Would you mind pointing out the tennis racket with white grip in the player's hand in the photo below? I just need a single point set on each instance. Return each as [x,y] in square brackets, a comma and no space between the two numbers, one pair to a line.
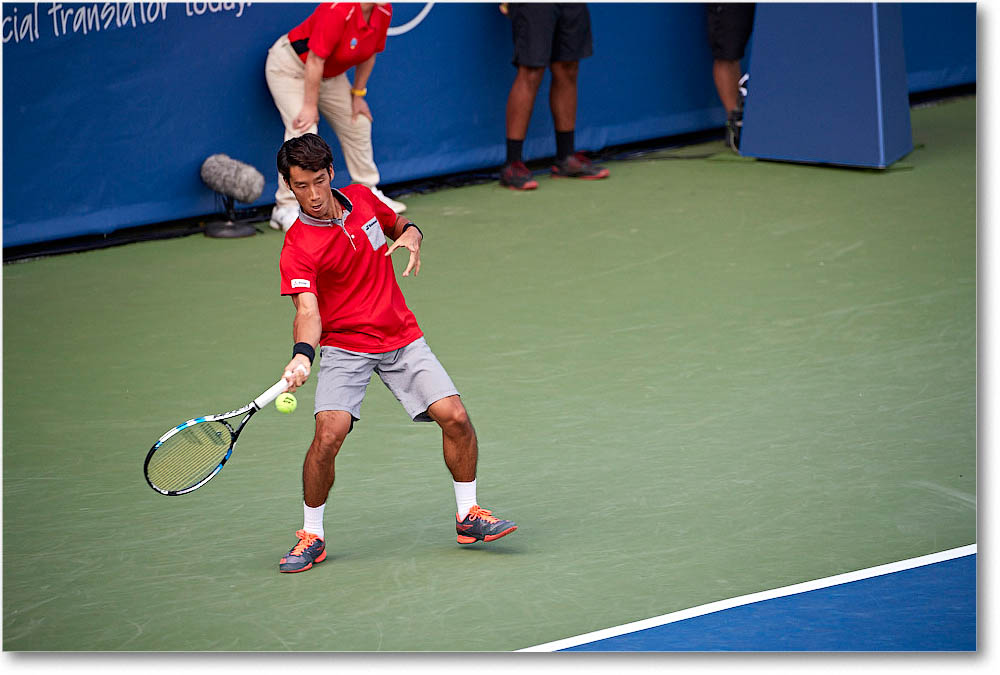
[194,452]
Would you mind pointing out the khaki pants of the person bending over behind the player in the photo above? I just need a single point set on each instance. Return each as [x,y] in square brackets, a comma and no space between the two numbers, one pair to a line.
[285,74]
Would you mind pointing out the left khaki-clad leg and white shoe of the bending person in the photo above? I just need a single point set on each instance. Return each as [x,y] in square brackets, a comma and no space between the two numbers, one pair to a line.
[284,73]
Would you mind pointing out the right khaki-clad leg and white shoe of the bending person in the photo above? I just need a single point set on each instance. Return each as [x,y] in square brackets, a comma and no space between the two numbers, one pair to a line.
[354,134]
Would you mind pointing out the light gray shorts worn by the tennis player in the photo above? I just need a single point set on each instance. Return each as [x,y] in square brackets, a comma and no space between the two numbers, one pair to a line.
[412,373]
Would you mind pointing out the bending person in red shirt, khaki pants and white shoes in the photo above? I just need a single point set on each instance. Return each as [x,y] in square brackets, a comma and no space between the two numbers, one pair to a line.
[306,74]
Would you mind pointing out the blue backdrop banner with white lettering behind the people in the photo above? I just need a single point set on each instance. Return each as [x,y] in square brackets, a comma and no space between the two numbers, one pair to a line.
[109,108]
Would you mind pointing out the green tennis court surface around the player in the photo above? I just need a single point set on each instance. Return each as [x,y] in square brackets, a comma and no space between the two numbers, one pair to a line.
[699,379]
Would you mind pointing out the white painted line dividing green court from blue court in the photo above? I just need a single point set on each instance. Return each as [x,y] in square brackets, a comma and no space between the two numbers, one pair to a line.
[720,605]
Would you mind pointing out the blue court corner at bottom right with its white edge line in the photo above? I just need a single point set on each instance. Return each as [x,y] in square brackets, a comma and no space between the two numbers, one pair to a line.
[924,604]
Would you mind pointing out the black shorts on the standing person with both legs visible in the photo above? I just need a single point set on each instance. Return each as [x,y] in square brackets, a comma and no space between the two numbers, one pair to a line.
[548,32]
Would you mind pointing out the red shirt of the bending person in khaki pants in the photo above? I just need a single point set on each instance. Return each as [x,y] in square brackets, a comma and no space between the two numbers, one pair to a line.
[338,32]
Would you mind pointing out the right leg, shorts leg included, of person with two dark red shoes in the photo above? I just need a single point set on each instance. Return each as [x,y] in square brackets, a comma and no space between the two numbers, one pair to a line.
[572,43]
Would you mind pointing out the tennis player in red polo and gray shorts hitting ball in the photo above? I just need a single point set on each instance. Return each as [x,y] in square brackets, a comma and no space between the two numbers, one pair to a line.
[336,266]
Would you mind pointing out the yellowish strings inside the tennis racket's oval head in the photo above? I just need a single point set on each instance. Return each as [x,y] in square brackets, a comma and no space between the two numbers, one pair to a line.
[190,455]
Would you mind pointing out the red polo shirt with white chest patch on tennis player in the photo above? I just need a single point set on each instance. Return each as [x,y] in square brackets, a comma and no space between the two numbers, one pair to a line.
[345,266]
